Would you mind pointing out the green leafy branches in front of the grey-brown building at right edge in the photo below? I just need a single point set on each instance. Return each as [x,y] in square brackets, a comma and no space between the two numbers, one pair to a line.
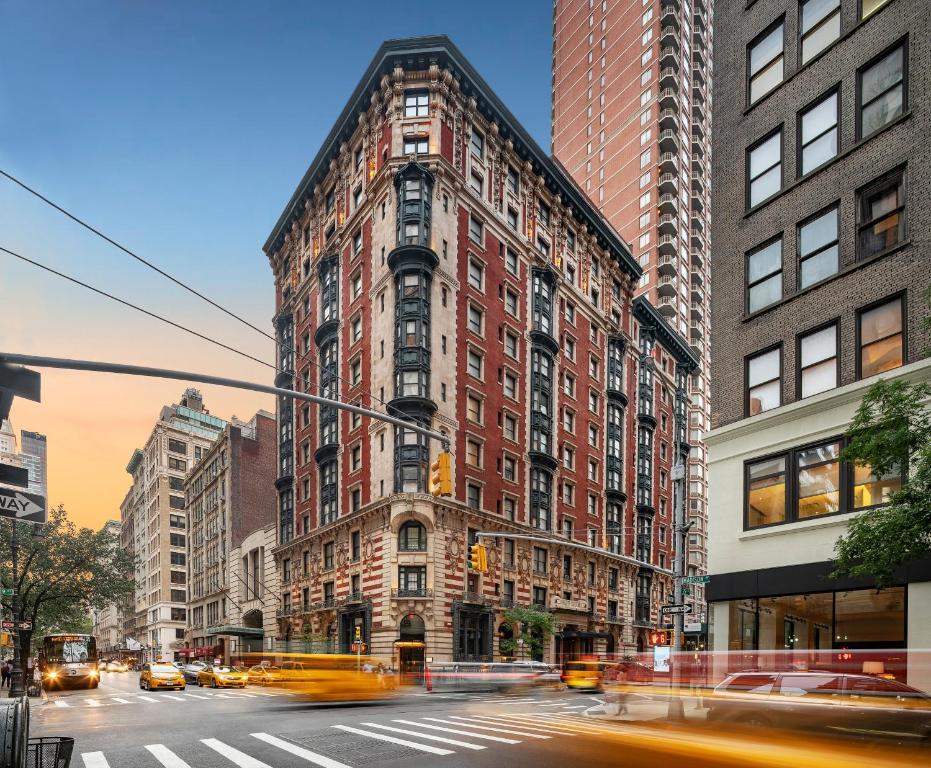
[891,431]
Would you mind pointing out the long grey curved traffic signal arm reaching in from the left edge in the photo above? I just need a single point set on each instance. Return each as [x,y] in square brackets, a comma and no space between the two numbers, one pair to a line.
[203,378]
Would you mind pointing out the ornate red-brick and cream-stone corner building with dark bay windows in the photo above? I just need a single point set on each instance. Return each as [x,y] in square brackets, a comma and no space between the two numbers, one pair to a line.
[418,270]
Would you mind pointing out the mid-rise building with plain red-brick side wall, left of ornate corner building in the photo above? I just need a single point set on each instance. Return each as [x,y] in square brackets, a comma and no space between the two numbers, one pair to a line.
[229,498]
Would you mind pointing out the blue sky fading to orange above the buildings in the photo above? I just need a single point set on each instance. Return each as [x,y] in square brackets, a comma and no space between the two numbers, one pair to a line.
[181,129]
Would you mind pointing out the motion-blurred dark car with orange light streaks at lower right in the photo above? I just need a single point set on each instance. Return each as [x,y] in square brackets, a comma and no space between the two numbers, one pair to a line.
[860,706]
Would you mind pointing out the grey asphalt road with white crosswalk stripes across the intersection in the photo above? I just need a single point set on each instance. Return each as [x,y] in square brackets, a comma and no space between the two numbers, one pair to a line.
[119,726]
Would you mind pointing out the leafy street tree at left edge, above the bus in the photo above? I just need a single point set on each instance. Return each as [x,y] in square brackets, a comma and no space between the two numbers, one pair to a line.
[62,574]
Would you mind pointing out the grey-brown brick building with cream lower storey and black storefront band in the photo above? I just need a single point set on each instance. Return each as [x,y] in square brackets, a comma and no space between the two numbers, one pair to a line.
[821,234]
